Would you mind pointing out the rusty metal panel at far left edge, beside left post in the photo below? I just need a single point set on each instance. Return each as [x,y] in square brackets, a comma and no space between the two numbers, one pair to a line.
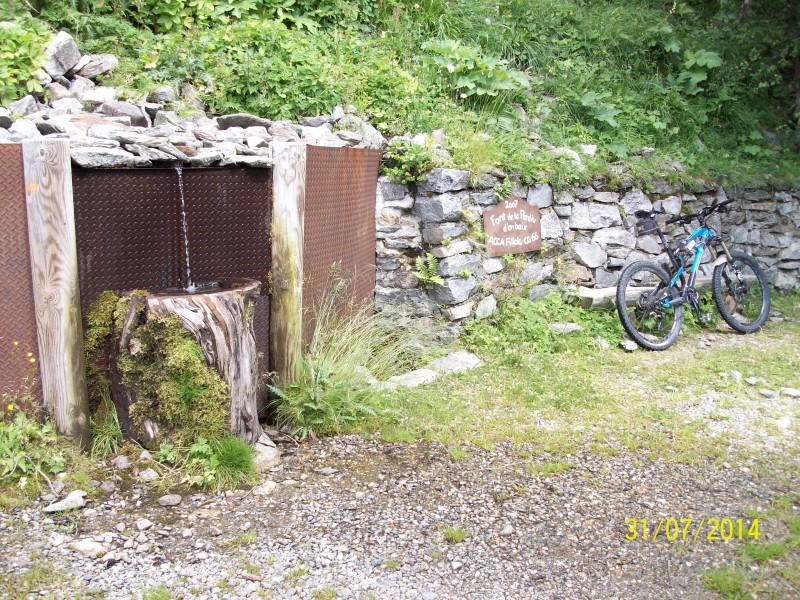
[17,313]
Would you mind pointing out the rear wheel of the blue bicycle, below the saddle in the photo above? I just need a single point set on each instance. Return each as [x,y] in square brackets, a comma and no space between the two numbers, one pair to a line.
[644,308]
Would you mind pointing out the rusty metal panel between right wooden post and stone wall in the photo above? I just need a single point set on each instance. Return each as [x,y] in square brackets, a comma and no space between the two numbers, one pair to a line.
[340,219]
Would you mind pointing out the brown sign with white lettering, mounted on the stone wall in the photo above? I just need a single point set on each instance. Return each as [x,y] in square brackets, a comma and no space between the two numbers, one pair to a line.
[513,226]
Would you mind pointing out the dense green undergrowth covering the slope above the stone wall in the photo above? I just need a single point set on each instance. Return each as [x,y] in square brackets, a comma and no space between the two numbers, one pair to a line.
[713,95]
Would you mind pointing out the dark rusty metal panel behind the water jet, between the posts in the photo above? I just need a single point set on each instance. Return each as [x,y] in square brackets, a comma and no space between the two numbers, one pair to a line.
[130,231]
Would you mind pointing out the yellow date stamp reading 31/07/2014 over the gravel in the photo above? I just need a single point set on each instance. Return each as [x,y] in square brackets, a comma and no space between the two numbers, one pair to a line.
[709,529]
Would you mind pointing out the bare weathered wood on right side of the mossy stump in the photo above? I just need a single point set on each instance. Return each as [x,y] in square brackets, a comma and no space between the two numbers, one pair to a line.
[221,320]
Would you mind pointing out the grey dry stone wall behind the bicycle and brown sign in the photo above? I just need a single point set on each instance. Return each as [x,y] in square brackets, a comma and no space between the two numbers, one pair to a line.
[588,236]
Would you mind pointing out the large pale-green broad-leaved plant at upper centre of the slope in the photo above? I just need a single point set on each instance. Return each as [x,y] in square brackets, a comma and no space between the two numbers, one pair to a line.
[472,74]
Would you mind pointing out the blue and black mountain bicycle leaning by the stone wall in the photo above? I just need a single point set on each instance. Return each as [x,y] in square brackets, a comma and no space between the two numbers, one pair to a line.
[650,299]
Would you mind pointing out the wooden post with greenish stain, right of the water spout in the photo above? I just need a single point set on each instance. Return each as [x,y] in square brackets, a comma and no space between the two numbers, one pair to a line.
[286,306]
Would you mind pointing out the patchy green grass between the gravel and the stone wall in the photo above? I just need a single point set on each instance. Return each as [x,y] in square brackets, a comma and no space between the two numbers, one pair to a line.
[550,400]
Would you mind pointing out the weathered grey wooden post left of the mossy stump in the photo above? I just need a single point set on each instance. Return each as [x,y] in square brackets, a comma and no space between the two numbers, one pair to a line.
[54,270]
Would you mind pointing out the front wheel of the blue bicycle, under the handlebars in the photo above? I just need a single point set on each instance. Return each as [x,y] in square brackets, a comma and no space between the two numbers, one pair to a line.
[741,293]
